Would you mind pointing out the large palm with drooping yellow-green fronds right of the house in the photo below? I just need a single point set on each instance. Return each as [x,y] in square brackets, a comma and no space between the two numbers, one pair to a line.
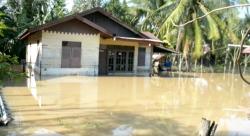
[187,10]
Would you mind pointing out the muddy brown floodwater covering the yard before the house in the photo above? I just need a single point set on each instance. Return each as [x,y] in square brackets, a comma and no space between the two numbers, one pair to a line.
[124,106]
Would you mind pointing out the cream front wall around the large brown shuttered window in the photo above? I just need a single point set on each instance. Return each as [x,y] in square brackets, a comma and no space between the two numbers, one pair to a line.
[52,52]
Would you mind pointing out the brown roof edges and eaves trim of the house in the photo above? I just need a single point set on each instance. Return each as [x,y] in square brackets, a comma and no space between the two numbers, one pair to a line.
[145,36]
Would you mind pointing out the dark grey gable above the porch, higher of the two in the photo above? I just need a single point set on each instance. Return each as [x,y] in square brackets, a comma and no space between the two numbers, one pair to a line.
[110,25]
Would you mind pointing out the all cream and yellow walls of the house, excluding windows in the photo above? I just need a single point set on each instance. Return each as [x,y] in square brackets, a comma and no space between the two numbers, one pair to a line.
[49,49]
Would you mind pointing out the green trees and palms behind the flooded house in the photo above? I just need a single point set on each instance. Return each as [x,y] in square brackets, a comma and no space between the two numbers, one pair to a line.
[205,38]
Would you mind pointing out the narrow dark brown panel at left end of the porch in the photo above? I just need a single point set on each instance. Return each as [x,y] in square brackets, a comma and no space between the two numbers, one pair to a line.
[103,60]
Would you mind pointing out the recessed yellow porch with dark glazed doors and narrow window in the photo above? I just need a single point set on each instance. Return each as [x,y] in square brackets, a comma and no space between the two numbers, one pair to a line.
[124,57]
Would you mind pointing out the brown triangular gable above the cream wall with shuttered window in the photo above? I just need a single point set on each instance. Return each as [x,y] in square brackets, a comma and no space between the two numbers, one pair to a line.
[73,26]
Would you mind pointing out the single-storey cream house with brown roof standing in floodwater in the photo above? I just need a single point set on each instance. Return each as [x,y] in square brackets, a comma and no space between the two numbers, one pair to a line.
[89,43]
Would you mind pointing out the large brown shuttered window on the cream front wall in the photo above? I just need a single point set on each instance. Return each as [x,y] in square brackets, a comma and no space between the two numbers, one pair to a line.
[71,54]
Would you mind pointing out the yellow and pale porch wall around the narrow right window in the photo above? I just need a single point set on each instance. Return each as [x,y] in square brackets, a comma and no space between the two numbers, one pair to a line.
[138,70]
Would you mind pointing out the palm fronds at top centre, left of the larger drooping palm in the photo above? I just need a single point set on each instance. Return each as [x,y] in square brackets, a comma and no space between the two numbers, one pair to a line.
[150,14]
